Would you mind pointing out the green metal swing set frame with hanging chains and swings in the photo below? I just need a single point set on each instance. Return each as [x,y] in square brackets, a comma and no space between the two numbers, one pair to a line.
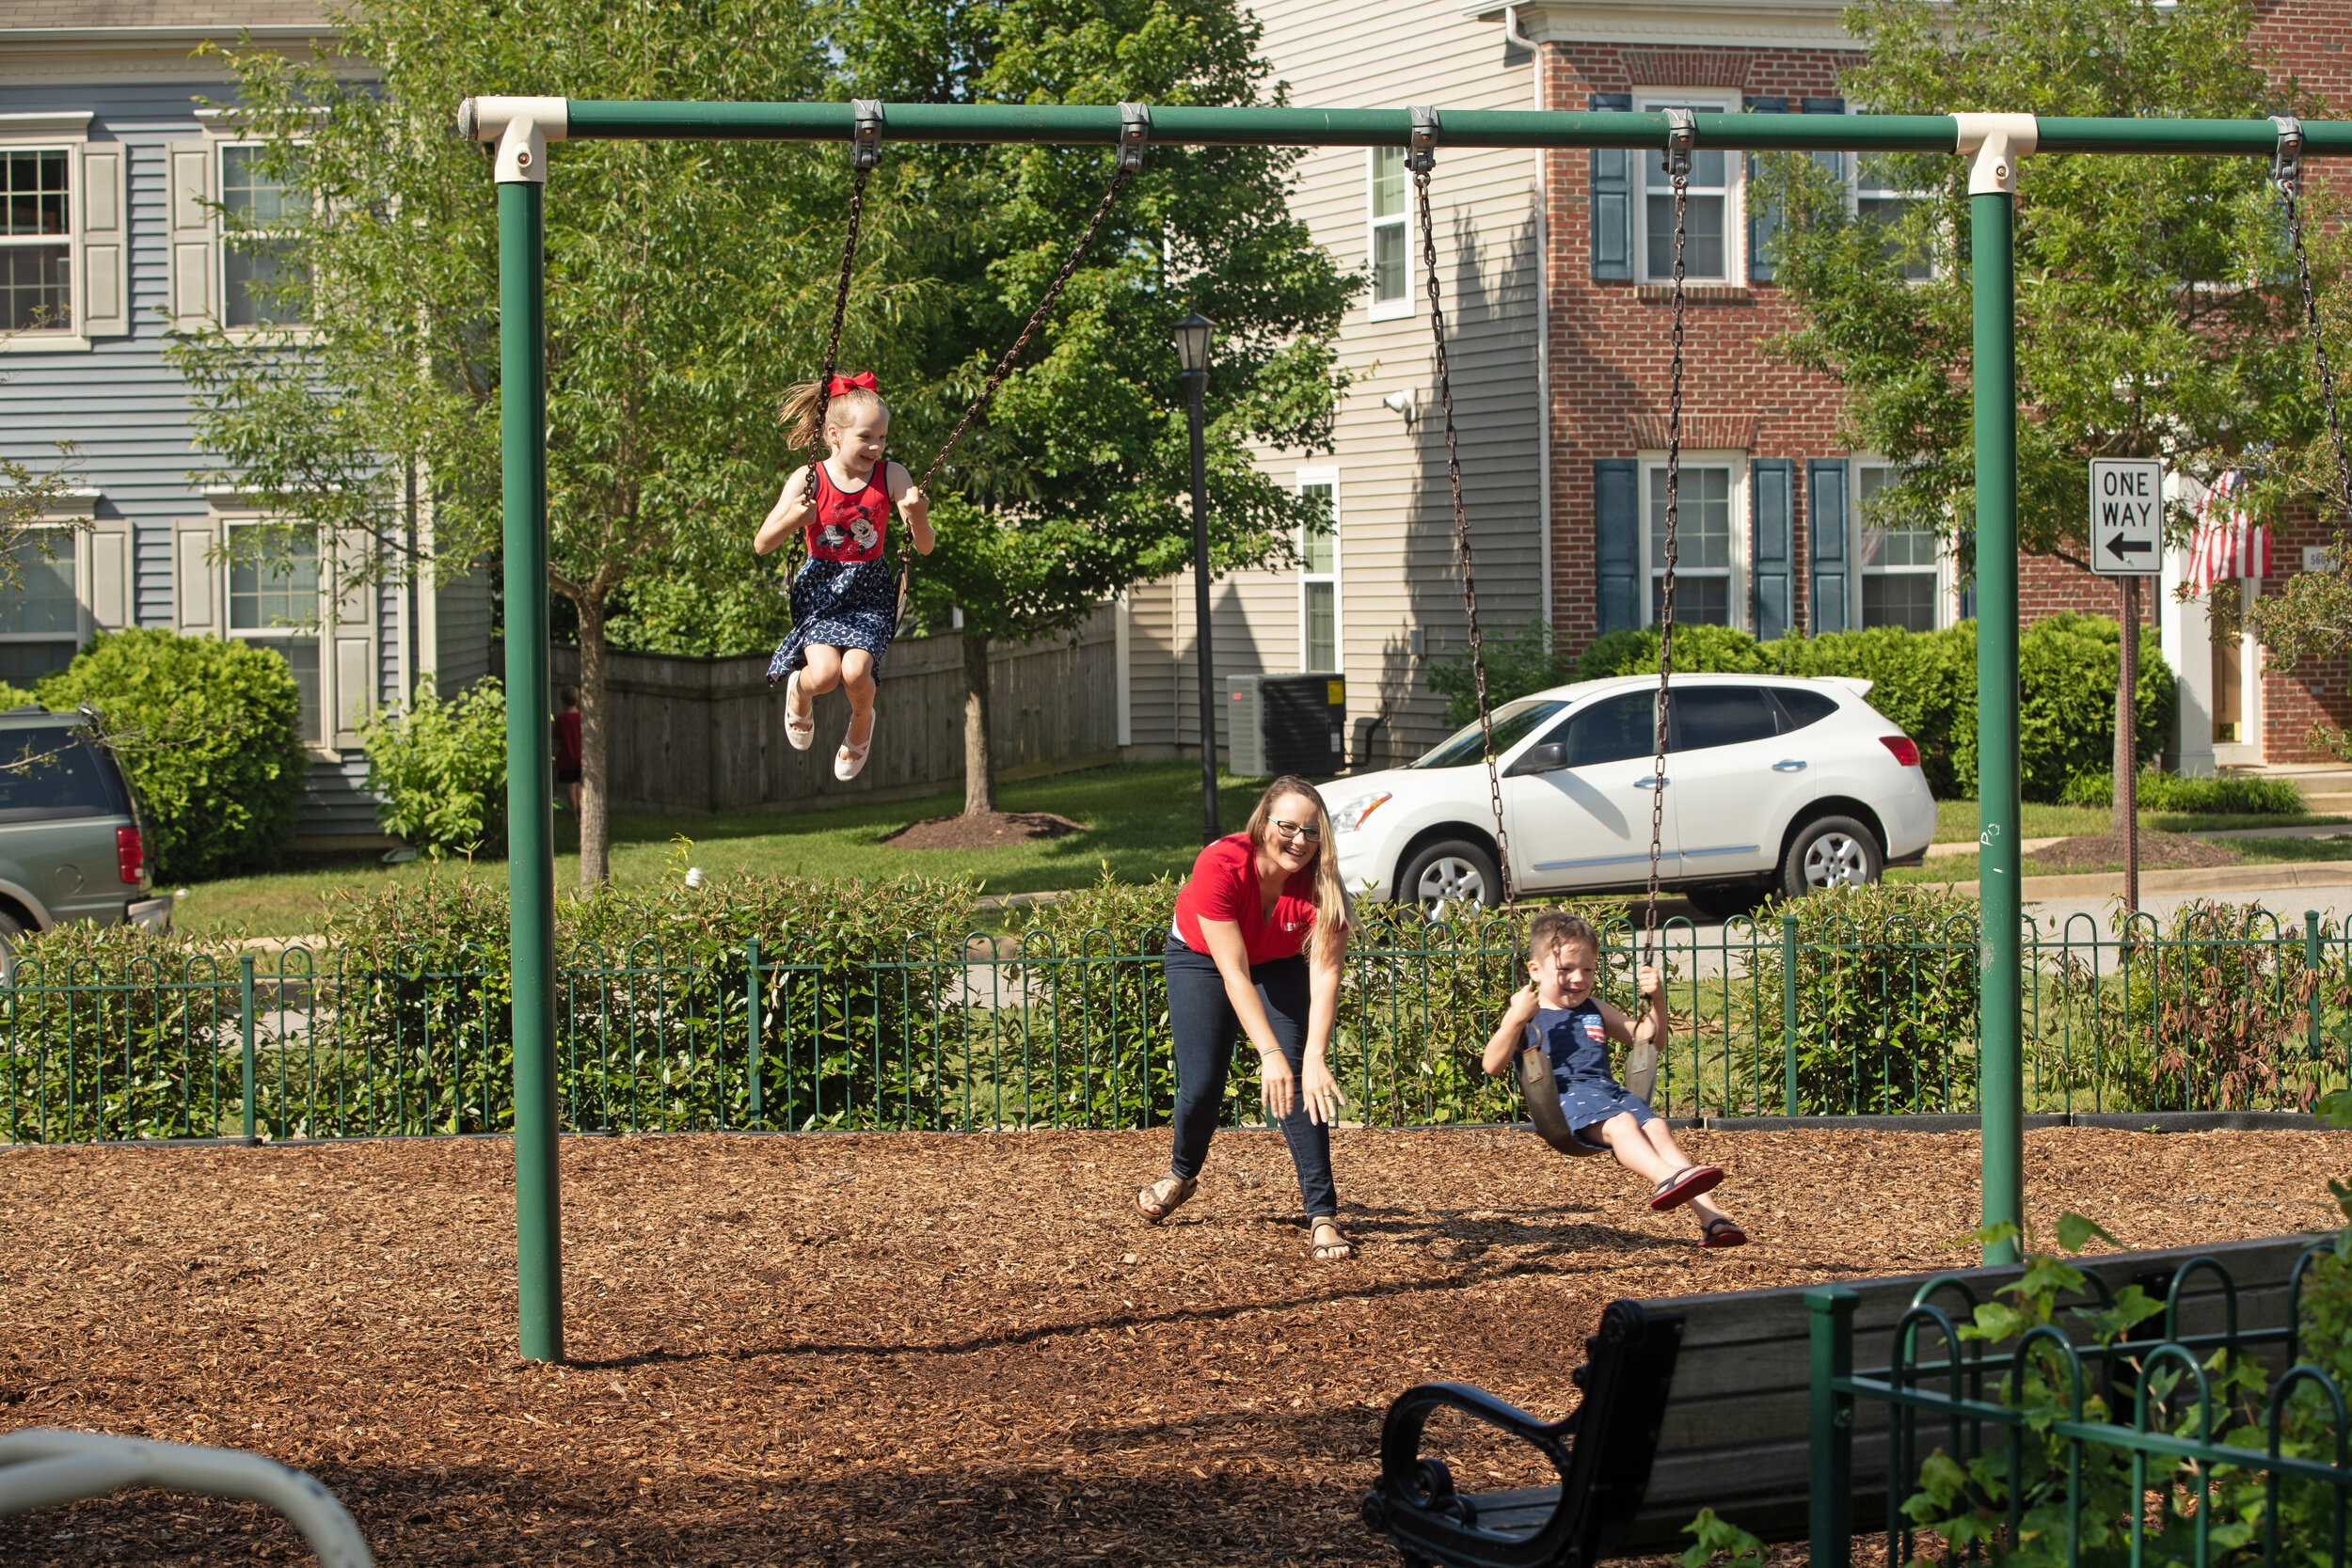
[1993,142]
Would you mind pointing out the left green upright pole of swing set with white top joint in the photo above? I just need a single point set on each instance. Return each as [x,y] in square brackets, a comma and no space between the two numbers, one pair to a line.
[530,777]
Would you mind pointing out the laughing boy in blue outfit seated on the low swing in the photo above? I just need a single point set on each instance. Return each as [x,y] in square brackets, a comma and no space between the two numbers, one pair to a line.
[1561,1014]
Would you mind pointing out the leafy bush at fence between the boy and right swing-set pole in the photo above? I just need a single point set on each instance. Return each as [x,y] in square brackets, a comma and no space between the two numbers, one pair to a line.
[1887,991]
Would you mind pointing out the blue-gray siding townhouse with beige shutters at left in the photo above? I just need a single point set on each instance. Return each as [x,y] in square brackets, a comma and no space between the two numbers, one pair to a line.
[112,168]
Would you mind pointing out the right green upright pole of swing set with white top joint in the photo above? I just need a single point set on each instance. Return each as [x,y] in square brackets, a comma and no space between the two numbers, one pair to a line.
[1996,145]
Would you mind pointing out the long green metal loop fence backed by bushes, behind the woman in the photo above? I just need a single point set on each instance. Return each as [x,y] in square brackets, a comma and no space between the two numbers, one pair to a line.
[2217,1010]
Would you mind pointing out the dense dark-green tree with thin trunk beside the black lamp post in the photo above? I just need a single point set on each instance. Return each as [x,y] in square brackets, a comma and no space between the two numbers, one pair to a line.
[1076,483]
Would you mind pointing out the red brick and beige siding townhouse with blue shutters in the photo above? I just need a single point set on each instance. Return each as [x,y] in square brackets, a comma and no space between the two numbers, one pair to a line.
[1556,288]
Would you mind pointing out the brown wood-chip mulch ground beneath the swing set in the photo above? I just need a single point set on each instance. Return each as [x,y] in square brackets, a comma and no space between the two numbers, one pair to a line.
[911,1348]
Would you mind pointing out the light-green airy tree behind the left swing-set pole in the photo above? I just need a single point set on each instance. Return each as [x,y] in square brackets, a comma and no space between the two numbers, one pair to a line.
[683,286]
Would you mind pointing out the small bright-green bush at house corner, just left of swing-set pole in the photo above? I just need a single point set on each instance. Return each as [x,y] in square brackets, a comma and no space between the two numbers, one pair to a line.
[441,768]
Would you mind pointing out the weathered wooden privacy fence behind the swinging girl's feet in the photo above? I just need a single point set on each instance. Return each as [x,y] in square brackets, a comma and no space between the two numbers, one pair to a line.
[707,735]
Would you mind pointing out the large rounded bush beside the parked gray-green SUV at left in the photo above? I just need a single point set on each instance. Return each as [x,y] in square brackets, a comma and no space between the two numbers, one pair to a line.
[208,732]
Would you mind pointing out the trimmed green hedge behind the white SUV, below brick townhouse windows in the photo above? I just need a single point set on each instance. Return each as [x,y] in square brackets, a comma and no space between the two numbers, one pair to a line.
[1925,683]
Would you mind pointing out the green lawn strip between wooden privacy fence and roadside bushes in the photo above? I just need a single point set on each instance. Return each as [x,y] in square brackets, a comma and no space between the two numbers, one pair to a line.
[1142,822]
